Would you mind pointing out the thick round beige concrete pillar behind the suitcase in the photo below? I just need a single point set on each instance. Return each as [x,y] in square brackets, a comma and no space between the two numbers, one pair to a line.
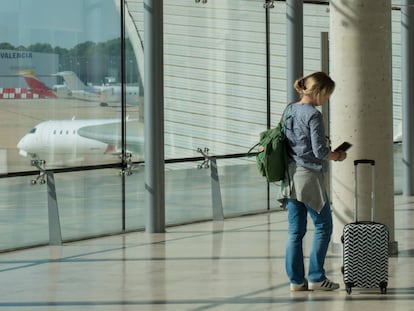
[361,109]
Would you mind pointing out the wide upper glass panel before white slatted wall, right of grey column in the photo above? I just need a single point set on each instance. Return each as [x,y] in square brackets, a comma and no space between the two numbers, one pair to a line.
[215,76]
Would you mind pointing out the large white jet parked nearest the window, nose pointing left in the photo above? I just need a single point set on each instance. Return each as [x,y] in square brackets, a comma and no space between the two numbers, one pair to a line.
[63,142]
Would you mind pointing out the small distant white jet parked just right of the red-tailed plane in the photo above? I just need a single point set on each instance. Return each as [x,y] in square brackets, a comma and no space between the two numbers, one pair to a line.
[105,94]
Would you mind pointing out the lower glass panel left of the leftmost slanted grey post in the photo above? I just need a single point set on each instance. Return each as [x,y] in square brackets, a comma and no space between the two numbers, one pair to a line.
[23,213]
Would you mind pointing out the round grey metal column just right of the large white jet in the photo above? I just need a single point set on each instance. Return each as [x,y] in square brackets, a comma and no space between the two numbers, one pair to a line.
[154,116]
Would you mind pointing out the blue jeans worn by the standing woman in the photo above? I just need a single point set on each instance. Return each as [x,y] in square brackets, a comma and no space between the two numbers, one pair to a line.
[297,217]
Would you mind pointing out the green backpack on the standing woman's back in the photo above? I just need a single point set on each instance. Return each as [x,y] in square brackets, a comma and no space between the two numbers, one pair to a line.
[272,157]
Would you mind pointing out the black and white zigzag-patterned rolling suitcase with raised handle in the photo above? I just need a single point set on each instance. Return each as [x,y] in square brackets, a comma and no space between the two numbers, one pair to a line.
[365,246]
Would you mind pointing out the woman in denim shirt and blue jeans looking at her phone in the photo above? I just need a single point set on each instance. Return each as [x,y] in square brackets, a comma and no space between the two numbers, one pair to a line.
[309,151]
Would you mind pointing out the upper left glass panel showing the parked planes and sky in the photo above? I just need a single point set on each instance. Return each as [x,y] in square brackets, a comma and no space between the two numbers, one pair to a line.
[56,57]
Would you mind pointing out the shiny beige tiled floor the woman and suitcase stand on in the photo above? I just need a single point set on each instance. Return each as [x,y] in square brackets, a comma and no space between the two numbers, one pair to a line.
[237,264]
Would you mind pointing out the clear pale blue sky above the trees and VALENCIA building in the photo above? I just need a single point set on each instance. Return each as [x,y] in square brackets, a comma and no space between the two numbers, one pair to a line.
[62,23]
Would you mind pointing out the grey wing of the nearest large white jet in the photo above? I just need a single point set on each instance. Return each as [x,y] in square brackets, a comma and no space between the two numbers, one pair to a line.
[111,134]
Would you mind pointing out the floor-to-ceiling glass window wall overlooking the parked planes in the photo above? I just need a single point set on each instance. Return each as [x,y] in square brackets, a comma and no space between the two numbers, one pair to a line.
[61,82]
